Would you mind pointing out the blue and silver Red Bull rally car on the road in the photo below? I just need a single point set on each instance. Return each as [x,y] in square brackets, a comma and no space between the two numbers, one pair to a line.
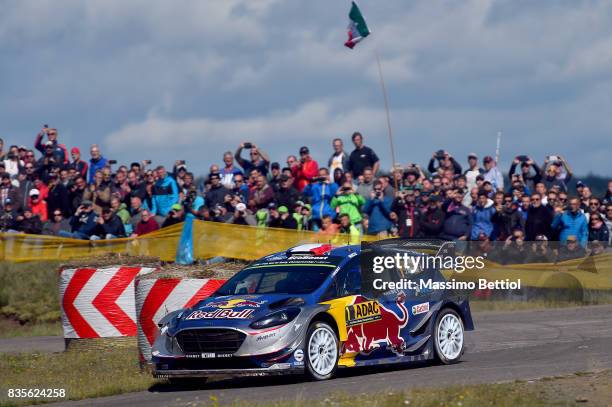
[304,311]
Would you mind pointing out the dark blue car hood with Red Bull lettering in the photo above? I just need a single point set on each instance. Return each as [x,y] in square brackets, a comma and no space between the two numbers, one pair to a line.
[235,311]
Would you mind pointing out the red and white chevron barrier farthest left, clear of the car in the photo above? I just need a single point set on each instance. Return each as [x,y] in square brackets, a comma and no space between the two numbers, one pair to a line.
[99,303]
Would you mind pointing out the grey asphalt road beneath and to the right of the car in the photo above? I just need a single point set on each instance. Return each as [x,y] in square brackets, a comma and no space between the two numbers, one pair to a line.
[505,346]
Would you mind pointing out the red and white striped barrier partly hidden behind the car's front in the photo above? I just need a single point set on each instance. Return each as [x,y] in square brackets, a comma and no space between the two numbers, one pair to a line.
[156,298]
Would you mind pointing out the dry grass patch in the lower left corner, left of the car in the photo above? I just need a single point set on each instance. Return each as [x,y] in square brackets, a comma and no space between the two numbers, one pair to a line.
[83,374]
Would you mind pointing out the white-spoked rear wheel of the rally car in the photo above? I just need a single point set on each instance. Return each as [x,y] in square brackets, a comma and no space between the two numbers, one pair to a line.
[449,336]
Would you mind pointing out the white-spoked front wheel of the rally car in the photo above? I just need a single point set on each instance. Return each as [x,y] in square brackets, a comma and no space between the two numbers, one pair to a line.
[321,351]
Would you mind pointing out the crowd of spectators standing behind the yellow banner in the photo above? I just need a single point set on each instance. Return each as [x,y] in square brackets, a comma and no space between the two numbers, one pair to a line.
[50,190]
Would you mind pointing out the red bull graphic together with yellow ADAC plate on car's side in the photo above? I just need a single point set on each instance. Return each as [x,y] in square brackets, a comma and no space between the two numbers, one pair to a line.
[377,325]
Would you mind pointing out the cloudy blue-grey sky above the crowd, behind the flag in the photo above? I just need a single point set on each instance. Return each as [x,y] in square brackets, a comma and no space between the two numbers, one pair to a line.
[188,80]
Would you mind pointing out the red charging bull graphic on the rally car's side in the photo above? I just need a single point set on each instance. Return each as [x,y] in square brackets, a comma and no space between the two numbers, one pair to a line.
[367,337]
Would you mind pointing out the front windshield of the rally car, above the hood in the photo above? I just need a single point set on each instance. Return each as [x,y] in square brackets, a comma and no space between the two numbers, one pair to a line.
[277,278]
